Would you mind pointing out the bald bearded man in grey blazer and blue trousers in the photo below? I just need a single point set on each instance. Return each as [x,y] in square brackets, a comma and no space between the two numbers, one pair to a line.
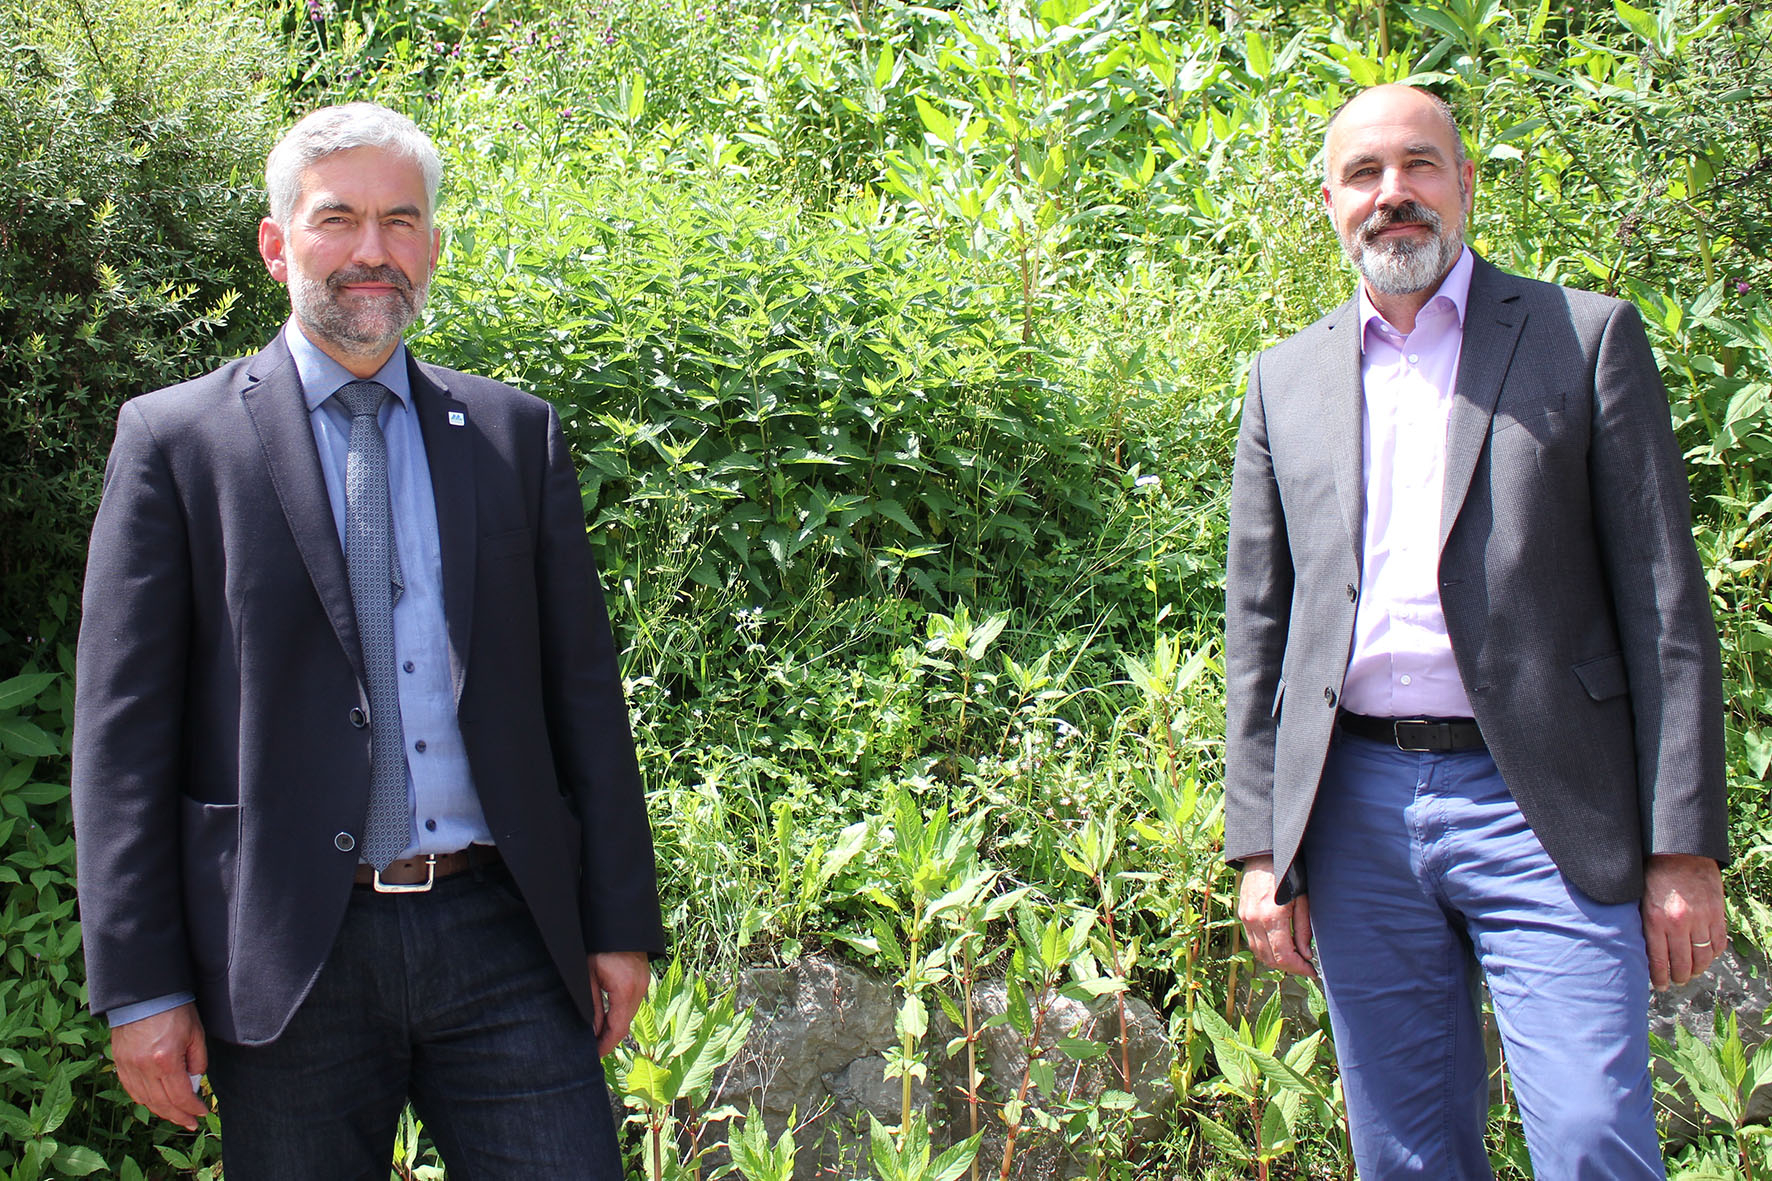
[1473,684]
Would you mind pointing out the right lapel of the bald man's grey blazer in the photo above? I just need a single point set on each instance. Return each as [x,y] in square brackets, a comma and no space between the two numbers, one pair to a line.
[1493,324]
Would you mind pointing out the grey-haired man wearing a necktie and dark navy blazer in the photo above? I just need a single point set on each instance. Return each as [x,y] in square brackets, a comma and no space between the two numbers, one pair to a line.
[277,678]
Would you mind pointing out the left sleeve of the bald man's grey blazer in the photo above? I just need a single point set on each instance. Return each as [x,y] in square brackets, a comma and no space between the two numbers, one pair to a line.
[1257,616]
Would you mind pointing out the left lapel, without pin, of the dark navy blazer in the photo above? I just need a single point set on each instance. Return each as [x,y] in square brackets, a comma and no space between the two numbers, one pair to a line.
[281,418]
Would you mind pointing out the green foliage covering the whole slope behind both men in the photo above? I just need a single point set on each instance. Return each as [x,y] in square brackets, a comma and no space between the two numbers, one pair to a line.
[901,350]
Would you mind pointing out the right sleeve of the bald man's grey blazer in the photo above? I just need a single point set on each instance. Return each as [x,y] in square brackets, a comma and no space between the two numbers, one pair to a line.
[1668,637]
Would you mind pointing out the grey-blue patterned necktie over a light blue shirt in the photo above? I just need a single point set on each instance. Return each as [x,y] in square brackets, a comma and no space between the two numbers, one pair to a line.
[375,574]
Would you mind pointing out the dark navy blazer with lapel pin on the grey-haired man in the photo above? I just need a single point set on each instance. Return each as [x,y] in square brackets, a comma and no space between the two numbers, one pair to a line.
[219,779]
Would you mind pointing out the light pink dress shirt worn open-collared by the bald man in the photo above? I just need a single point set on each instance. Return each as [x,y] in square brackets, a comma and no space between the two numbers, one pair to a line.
[1403,664]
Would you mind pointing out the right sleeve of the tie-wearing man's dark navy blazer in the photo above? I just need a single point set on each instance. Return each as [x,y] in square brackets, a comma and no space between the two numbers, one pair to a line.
[587,723]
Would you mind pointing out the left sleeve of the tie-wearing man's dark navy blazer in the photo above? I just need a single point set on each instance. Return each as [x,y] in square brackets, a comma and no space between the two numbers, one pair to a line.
[130,728]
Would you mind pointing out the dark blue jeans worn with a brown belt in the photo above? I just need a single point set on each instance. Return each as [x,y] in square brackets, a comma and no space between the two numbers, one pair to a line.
[446,999]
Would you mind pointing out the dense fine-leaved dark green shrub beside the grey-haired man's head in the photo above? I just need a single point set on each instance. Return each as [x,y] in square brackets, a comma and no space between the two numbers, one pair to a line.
[130,141]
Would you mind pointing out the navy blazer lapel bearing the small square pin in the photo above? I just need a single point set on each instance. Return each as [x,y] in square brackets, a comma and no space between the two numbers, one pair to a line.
[449,455]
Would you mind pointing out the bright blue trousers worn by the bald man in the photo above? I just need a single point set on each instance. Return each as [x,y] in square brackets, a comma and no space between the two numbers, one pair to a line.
[1422,866]
